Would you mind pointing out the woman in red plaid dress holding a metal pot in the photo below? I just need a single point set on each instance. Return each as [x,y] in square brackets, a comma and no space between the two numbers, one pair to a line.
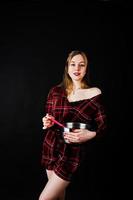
[71,101]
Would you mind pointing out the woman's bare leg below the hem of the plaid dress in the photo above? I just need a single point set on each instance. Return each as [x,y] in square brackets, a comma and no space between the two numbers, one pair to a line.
[55,188]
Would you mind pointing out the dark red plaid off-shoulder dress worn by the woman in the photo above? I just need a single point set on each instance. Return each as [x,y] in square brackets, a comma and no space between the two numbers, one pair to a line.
[57,155]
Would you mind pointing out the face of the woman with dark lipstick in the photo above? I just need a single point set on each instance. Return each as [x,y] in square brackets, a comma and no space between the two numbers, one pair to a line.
[77,68]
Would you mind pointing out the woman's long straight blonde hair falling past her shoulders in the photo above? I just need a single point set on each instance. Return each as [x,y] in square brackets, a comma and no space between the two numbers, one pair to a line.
[67,81]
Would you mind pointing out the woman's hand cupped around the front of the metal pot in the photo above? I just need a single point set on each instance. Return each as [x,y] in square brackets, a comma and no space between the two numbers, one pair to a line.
[79,135]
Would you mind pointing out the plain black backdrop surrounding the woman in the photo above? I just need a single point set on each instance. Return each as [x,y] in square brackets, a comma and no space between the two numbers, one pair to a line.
[34,42]
